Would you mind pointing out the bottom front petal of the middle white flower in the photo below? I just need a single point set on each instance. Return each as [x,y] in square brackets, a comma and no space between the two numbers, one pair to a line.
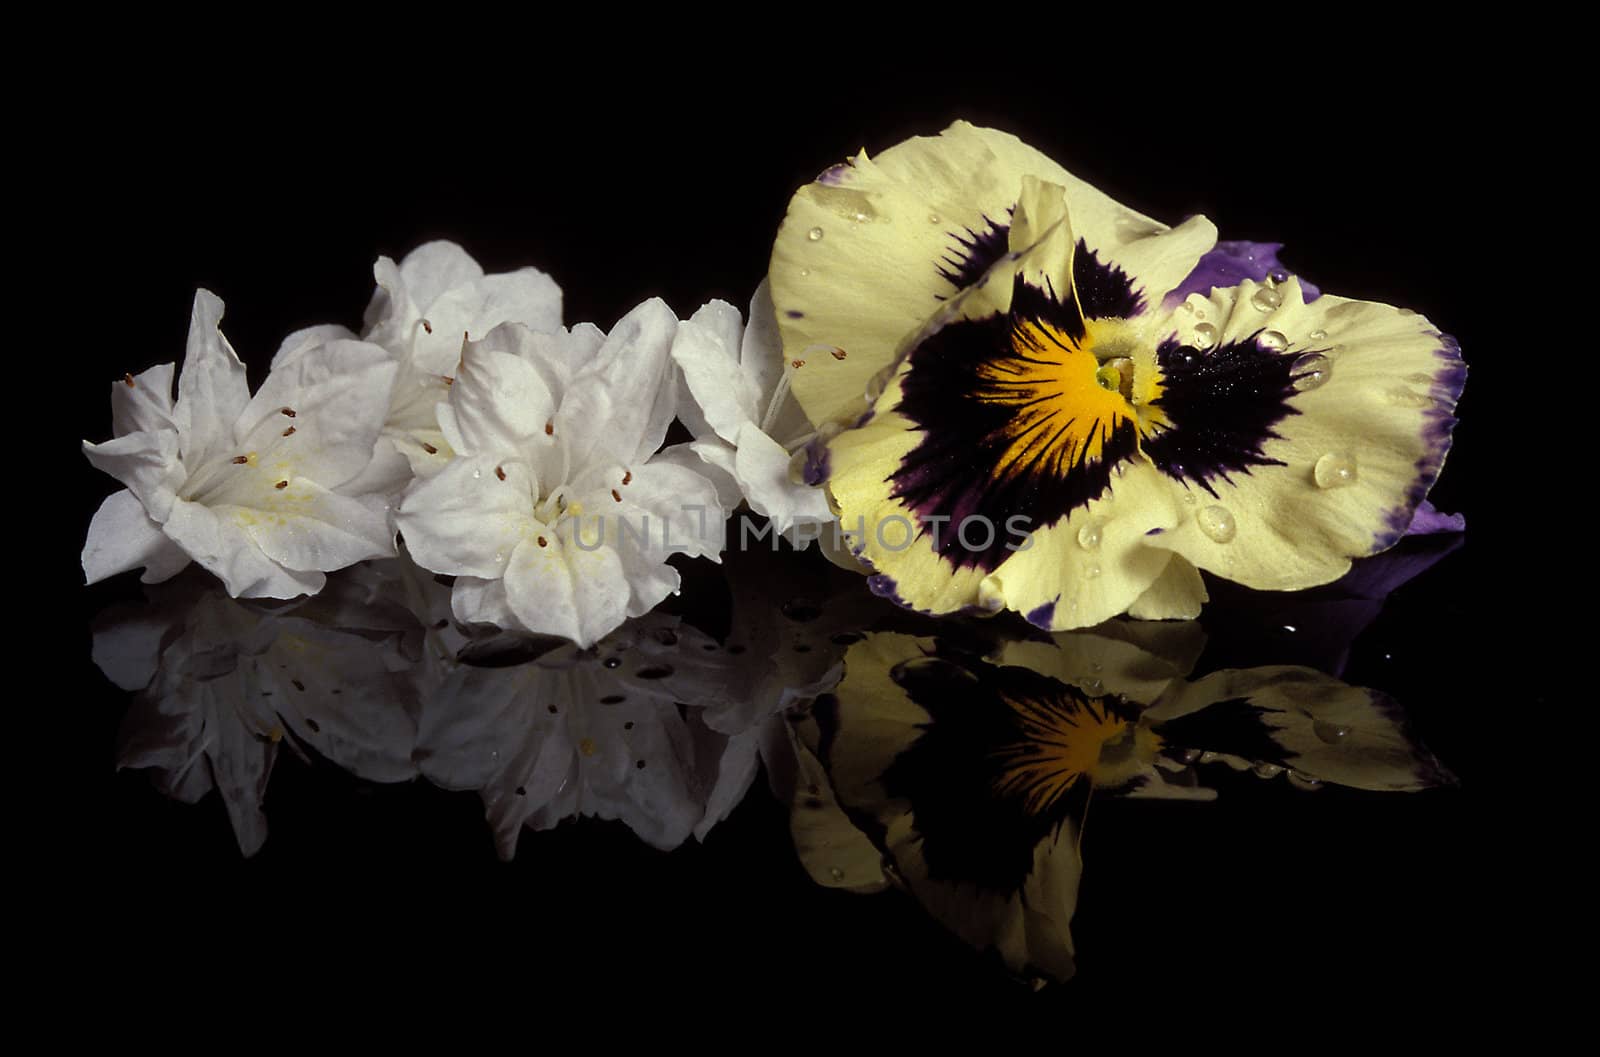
[562,589]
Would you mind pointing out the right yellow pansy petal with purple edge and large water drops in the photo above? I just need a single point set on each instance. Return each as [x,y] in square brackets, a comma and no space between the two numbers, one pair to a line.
[1364,404]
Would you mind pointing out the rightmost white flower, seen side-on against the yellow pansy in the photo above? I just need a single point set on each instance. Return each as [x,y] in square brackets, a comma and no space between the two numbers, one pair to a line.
[742,417]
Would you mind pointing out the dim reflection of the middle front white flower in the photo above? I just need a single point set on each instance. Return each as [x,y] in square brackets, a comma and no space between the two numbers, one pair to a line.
[594,733]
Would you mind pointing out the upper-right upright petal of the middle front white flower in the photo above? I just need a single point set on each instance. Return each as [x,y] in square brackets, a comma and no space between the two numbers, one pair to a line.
[614,410]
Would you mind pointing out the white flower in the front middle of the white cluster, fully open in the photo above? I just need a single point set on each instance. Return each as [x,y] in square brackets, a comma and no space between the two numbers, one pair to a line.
[558,514]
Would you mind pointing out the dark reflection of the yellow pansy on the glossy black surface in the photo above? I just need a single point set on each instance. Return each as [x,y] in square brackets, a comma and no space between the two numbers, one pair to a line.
[962,772]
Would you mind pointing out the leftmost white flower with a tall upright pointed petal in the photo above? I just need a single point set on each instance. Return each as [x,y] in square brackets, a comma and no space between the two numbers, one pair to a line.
[246,487]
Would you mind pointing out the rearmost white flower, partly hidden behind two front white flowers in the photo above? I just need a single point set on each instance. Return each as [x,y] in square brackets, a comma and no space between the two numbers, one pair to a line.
[420,314]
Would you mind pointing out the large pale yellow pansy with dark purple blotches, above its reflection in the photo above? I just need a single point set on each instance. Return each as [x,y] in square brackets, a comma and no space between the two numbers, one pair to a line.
[1038,428]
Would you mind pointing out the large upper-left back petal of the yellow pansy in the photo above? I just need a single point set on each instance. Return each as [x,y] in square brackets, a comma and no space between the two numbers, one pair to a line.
[873,249]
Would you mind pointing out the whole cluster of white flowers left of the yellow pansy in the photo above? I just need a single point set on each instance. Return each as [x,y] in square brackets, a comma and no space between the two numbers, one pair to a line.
[513,453]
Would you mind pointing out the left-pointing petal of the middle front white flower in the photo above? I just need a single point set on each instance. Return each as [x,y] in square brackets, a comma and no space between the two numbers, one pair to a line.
[466,521]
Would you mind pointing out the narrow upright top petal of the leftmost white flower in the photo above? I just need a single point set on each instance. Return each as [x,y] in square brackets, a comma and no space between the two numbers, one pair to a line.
[212,388]
